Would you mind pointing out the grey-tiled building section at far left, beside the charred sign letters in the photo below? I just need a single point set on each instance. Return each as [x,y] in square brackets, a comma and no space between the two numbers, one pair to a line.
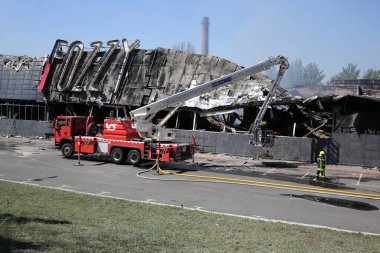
[20,99]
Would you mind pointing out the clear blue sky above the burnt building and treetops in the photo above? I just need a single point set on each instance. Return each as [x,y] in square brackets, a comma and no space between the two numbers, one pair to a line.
[331,33]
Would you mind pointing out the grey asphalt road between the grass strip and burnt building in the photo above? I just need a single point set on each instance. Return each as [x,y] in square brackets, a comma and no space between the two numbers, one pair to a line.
[37,162]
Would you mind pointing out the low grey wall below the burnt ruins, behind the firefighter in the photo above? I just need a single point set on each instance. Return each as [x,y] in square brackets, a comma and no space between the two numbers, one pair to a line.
[350,149]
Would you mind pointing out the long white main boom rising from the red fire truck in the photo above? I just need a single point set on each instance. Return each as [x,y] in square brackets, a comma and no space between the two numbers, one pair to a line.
[149,130]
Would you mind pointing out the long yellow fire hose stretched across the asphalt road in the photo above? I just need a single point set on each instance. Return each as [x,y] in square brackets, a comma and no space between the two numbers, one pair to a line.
[350,193]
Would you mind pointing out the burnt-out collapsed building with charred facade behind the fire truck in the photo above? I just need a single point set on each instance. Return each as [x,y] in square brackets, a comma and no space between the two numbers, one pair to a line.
[120,77]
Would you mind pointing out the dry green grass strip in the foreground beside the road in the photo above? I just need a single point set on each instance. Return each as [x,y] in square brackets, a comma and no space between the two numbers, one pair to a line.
[34,219]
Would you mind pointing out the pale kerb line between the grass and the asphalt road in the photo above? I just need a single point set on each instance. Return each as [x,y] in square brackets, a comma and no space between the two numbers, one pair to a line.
[205,211]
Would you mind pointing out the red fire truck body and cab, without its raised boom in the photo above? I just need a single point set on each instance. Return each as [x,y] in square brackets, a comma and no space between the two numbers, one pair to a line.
[118,141]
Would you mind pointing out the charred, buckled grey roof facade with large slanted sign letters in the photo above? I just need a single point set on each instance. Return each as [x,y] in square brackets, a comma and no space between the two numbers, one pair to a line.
[139,77]
